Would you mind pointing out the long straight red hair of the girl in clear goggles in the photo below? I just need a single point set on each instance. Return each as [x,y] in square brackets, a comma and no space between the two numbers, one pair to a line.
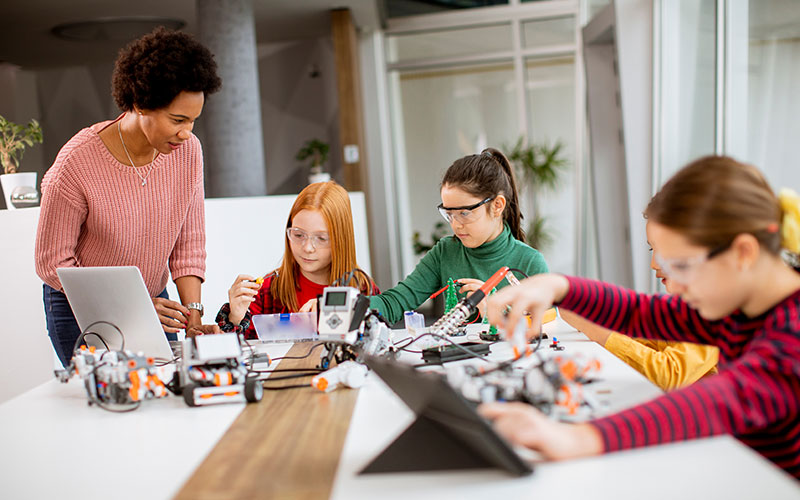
[332,201]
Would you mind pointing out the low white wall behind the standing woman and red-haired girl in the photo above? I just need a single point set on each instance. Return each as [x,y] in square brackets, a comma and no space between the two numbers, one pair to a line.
[26,357]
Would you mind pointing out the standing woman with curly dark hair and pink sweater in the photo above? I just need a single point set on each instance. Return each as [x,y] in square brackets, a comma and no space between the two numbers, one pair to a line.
[129,191]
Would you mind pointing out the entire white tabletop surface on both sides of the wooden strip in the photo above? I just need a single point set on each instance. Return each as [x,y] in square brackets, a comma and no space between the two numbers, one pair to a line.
[55,446]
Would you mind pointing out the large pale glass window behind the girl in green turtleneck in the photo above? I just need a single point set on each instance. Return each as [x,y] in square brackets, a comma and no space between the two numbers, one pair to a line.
[458,88]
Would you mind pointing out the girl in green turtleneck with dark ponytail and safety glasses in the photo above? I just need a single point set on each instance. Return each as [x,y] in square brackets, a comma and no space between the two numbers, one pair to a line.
[479,200]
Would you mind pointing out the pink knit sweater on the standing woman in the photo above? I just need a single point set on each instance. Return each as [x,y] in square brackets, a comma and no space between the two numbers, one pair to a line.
[95,212]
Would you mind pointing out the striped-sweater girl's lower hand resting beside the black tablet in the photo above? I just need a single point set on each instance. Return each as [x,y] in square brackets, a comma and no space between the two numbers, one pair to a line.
[523,425]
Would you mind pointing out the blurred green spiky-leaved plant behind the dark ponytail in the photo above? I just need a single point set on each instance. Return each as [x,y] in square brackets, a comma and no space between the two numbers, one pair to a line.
[539,167]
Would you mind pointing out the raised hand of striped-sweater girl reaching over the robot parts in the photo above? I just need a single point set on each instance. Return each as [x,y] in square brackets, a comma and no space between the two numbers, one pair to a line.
[532,296]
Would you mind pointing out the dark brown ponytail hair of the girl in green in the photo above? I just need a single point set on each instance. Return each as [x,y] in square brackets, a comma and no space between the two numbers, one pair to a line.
[488,174]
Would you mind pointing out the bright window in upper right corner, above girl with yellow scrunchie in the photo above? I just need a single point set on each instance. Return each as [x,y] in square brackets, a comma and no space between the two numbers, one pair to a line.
[763,102]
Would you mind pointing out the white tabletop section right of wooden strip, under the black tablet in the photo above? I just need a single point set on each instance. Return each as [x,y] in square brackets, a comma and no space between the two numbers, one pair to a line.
[719,467]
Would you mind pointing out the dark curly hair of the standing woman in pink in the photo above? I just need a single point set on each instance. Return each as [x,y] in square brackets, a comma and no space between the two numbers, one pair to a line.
[151,71]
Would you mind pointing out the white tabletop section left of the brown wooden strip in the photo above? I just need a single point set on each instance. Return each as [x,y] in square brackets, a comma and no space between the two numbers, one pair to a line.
[55,446]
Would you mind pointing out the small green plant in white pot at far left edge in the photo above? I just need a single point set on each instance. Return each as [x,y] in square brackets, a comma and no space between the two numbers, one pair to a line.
[14,138]
